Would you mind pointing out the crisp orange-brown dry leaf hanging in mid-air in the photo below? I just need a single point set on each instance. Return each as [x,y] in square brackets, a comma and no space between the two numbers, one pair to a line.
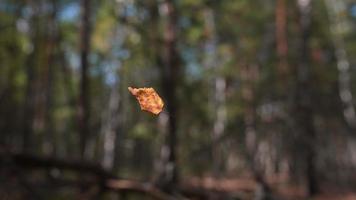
[148,99]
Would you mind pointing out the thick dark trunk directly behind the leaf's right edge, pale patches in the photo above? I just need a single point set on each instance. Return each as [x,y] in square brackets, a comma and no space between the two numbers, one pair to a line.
[169,58]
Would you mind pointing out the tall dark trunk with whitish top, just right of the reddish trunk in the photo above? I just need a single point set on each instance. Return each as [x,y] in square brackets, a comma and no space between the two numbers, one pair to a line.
[303,100]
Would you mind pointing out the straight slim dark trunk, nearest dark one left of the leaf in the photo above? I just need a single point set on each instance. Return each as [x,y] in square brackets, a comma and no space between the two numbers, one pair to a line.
[83,112]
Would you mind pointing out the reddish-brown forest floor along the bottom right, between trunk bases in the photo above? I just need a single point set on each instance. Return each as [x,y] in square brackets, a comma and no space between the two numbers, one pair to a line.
[281,190]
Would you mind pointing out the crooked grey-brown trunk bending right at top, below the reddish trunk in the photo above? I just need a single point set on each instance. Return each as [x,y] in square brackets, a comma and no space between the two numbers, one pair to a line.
[249,76]
